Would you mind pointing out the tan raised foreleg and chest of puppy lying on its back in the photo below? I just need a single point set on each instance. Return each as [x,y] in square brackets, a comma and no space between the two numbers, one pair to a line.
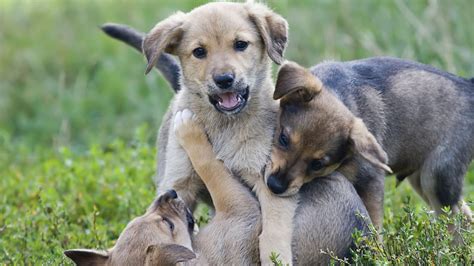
[236,224]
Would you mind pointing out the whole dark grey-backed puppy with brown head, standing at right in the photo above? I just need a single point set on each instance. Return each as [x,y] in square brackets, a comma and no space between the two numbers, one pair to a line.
[369,117]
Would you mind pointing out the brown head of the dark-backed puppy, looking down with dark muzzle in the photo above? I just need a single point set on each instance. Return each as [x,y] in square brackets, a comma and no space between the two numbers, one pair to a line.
[316,133]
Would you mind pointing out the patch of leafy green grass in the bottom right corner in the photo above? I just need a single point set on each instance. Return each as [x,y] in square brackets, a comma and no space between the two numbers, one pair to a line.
[412,238]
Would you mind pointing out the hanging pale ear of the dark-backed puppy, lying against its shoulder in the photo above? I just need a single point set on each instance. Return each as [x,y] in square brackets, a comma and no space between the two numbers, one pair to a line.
[365,144]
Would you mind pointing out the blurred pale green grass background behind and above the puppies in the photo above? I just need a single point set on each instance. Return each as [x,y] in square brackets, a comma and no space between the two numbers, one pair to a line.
[63,82]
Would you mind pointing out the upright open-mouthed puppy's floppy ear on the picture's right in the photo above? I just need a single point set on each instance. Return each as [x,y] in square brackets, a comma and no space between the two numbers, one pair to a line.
[273,29]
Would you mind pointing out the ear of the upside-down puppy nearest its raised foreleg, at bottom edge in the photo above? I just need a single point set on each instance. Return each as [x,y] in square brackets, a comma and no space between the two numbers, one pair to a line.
[165,255]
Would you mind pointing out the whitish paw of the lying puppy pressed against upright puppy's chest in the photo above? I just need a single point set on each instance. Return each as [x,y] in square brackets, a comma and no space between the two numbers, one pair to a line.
[186,127]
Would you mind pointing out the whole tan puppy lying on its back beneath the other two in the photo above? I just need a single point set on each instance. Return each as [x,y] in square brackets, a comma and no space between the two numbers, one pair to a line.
[325,221]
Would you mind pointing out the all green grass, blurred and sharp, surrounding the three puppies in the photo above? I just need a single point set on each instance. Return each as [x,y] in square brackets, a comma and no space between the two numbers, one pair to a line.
[76,162]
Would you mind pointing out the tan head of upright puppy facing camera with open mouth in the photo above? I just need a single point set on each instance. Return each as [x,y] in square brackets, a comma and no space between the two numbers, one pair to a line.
[224,49]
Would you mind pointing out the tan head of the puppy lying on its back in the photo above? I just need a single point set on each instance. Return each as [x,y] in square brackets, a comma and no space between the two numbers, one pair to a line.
[162,236]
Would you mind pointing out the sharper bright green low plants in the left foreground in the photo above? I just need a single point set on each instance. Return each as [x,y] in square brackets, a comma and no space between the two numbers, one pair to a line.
[52,201]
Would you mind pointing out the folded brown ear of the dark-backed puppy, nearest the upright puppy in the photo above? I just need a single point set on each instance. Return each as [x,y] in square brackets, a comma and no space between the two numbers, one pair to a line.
[296,83]
